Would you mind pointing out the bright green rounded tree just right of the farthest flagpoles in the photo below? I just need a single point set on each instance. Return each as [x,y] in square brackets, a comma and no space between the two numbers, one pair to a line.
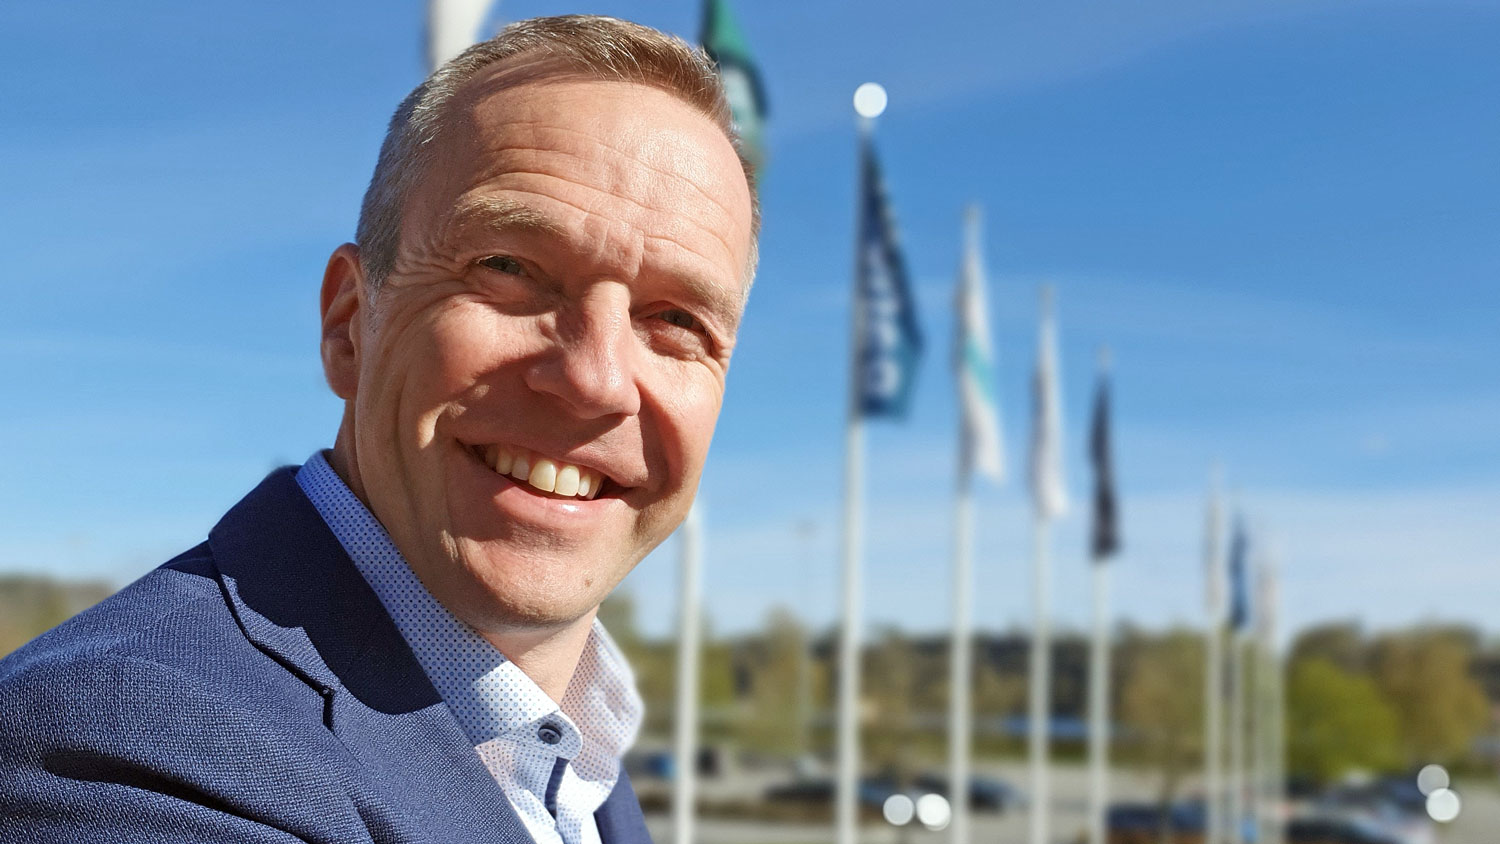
[1337,722]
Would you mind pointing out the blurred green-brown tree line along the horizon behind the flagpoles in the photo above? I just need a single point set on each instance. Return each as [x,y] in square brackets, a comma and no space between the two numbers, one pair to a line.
[1355,701]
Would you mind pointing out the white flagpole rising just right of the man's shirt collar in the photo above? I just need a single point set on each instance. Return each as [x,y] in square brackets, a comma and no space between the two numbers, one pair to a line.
[688,648]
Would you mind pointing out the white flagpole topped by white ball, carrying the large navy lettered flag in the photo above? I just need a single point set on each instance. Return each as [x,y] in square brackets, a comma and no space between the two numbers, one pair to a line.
[847,804]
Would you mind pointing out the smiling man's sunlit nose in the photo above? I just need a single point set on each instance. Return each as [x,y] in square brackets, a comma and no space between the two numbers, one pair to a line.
[592,367]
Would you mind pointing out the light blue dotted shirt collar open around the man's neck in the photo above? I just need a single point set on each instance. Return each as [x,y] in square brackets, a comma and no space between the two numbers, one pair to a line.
[490,696]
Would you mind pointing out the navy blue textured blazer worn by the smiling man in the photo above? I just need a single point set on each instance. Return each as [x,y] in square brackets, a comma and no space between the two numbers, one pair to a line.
[253,689]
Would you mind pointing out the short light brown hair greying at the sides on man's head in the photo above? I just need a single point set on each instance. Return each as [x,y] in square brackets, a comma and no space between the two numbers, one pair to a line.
[589,46]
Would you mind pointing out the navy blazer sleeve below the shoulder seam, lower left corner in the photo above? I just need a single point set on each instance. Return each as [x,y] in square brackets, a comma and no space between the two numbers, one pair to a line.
[112,744]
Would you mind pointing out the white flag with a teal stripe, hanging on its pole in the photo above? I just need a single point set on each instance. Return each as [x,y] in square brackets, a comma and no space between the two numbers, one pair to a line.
[974,359]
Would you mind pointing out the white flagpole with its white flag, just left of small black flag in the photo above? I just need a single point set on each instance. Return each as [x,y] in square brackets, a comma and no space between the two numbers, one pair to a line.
[1051,501]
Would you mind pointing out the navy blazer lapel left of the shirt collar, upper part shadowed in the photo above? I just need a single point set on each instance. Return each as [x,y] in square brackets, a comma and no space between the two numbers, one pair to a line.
[301,600]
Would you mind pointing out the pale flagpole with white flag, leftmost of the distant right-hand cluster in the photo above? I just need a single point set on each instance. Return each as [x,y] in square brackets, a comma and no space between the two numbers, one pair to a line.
[1214,674]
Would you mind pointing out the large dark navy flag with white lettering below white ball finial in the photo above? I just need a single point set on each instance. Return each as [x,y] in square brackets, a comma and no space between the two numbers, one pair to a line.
[887,340]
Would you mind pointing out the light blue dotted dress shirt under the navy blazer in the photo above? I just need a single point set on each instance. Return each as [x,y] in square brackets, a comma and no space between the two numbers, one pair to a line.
[556,764]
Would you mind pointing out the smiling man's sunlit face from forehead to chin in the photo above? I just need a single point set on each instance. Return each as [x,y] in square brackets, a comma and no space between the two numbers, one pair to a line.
[566,298]
